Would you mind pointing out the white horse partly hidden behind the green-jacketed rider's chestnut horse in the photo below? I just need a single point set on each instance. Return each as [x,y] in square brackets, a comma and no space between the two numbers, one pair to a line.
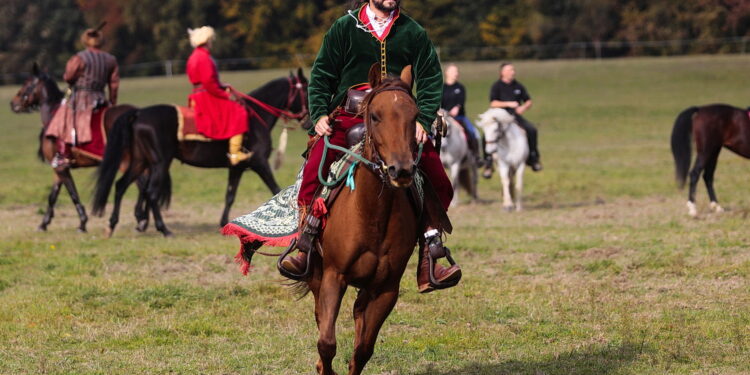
[457,158]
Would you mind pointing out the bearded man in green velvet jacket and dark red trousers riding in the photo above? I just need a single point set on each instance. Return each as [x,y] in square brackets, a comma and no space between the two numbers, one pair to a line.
[375,32]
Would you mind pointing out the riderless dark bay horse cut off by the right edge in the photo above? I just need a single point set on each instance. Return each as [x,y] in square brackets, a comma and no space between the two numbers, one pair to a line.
[711,127]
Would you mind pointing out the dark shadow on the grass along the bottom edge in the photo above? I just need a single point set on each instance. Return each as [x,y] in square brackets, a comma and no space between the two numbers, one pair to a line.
[593,360]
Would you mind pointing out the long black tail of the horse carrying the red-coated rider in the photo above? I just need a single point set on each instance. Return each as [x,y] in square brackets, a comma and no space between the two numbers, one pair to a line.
[118,140]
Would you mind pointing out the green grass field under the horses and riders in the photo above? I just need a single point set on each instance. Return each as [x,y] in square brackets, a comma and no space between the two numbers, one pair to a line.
[604,273]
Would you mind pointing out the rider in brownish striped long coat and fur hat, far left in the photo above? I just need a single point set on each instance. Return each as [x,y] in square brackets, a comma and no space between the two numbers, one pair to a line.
[87,72]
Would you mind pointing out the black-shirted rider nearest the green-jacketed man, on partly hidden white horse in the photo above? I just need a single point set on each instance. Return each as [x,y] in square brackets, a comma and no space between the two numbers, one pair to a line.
[454,101]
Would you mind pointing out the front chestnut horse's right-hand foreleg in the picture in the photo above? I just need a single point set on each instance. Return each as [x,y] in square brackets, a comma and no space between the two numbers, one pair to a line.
[370,311]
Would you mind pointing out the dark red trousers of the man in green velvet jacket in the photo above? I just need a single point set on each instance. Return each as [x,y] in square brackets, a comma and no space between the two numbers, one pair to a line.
[429,163]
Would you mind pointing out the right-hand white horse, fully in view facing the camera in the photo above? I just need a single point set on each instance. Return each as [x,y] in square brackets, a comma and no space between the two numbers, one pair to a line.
[507,144]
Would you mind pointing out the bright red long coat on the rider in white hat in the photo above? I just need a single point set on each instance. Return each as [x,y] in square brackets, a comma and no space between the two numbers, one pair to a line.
[216,116]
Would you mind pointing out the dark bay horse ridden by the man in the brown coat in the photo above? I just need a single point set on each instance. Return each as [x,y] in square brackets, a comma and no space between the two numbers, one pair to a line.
[41,92]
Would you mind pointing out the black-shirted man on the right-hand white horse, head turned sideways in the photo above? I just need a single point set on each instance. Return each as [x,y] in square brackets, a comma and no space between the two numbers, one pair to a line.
[509,94]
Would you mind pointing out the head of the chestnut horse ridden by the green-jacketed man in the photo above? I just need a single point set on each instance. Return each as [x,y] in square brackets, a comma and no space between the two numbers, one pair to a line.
[390,113]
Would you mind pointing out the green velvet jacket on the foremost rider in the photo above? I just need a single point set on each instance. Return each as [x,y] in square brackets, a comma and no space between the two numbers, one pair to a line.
[348,52]
